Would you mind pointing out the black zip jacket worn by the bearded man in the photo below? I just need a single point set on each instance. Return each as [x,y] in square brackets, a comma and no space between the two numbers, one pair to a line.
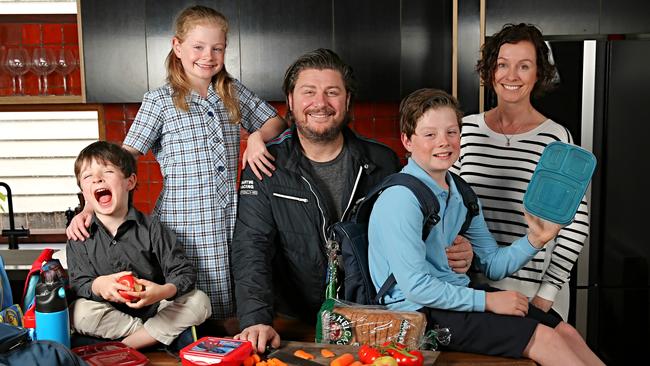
[279,260]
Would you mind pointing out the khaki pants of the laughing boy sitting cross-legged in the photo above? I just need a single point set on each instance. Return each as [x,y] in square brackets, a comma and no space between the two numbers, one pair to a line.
[101,319]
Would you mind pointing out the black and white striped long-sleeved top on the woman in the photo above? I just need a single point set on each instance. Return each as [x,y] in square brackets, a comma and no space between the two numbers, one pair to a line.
[499,174]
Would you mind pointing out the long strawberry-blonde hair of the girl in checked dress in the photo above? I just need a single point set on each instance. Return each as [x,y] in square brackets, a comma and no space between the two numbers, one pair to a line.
[222,81]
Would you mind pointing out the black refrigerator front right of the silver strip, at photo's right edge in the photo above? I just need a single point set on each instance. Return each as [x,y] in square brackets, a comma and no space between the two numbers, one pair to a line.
[618,324]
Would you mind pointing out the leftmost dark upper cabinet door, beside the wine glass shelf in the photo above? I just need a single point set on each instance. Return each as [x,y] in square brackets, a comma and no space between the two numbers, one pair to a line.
[114,45]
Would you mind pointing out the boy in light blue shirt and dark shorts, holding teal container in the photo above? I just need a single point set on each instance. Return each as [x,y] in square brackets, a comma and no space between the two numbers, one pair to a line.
[481,320]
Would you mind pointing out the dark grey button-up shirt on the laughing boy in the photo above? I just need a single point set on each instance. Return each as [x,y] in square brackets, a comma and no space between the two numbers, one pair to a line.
[141,245]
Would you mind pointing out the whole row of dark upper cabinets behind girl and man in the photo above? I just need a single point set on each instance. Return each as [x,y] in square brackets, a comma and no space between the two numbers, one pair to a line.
[394,46]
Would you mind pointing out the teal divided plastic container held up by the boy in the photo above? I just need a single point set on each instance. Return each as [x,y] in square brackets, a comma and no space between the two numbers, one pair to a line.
[559,182]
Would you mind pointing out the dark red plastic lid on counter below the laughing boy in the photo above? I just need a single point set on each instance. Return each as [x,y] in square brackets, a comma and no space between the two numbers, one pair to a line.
[111,353]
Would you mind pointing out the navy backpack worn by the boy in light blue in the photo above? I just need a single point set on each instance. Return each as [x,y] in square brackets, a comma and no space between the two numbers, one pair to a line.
[350,237]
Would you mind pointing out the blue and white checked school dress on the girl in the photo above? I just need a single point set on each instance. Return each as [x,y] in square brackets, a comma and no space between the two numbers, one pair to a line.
[198,154]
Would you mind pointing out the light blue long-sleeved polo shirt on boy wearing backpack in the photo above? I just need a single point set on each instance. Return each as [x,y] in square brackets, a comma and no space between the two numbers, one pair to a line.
[423,276]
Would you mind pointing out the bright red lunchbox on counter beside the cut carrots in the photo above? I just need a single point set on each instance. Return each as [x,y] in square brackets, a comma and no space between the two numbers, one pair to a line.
[213,351]
